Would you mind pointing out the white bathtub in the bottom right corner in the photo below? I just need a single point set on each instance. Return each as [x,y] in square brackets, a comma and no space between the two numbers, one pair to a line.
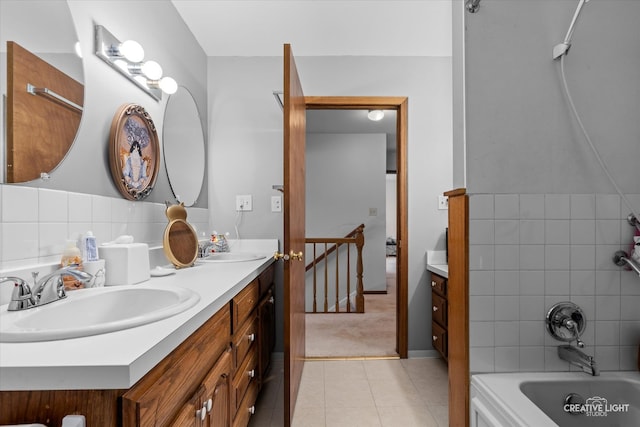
[538,399]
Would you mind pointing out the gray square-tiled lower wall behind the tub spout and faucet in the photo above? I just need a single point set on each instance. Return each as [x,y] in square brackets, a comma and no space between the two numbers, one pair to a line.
[529,251]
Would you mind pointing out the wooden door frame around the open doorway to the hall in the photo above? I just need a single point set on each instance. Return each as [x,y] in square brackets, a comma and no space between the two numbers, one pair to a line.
[400,105]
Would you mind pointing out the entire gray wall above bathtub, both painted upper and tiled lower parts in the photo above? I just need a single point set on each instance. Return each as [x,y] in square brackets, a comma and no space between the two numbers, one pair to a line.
[544,220]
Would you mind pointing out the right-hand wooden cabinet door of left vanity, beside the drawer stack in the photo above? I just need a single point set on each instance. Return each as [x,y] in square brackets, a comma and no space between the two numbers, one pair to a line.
[217,393]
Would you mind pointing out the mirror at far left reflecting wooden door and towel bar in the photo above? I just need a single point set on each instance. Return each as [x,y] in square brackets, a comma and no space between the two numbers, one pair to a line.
[44,108]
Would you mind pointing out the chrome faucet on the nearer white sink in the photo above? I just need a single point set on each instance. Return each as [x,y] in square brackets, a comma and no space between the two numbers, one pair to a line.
[46,290]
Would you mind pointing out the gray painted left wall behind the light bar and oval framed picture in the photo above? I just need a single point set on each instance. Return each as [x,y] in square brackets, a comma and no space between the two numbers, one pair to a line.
[86,167]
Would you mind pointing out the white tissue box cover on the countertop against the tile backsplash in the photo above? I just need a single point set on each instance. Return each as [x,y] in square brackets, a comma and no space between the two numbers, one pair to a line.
[126,264]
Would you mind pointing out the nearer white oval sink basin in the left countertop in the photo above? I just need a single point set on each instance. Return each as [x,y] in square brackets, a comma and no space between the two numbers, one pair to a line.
[94,311]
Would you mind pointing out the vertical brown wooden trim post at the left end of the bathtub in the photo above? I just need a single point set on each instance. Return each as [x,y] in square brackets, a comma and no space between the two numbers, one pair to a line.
[458,314]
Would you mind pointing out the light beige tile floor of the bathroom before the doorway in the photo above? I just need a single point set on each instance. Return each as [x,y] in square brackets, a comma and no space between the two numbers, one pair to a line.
[385,393]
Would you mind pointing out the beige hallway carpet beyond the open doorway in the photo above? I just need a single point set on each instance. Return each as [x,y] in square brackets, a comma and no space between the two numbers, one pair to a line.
[353,335]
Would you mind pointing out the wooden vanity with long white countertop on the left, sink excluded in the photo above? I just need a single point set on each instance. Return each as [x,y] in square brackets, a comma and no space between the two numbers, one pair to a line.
[202,367]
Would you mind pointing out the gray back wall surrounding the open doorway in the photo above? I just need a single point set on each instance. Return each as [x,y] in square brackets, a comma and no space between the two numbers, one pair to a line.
[245,136]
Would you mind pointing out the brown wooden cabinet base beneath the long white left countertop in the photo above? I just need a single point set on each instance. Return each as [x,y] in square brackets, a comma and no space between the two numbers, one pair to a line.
[212,379]
